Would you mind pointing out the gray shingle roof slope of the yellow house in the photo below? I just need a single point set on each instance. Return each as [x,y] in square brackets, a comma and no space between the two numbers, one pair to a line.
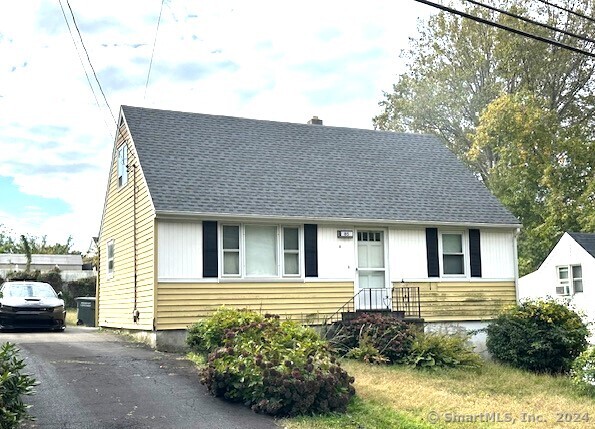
[197,163]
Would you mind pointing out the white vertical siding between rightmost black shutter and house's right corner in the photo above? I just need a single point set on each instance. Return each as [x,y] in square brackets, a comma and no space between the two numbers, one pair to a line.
[497,254]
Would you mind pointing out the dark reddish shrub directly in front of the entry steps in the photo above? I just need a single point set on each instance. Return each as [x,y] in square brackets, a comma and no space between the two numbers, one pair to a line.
[391,337]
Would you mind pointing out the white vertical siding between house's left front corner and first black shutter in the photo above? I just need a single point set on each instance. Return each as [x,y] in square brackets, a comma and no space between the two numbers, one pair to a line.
[179,250]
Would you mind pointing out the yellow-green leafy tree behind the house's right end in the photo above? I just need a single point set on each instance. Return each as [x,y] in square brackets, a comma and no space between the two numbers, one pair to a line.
[540,170]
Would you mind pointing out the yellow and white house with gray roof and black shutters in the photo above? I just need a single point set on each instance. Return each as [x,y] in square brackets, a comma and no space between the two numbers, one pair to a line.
[303,220]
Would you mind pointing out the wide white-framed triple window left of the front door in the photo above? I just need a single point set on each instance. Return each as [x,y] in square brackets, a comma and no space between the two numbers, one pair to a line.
[260,251]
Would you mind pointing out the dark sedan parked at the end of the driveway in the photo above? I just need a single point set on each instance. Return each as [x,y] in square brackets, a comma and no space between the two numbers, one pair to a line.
[26,304]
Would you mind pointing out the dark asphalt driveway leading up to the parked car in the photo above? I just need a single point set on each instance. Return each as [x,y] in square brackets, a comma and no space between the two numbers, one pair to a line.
[92,380]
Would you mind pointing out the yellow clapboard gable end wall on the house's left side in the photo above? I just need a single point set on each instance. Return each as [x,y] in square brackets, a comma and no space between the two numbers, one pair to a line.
[116,295]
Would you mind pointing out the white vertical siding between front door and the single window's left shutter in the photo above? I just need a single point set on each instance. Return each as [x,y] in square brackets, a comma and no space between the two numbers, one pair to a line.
[408,258]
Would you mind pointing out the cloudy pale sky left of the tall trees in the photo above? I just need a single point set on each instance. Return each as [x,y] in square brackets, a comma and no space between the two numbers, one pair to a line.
[277,60]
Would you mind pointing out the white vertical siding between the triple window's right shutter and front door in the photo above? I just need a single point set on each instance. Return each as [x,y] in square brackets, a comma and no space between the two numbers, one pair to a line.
[336,256]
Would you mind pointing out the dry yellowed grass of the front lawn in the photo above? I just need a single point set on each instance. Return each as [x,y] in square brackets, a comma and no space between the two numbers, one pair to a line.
[493,390]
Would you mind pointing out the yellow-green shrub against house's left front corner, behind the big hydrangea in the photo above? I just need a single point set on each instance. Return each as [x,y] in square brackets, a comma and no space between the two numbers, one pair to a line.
[209,334]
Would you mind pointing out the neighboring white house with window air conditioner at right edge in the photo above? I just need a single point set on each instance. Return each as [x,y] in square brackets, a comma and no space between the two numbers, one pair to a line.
[568,272]
